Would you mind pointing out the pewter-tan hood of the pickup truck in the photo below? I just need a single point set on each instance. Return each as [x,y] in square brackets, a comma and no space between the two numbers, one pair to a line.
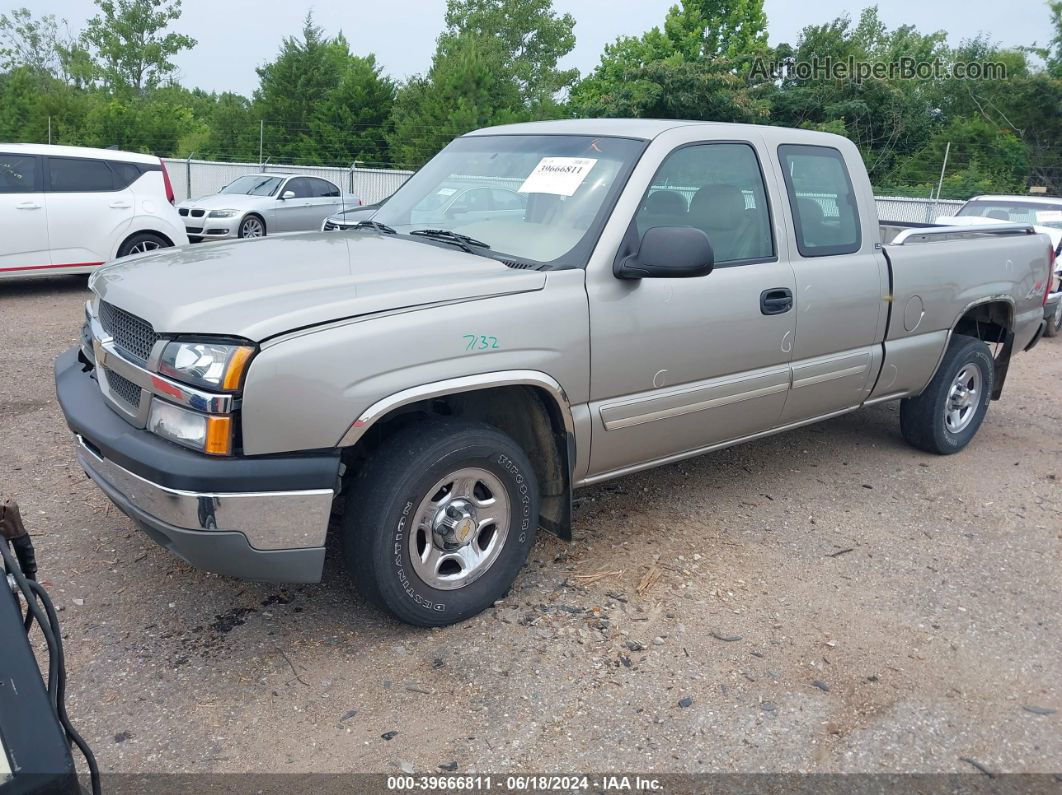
[258,289]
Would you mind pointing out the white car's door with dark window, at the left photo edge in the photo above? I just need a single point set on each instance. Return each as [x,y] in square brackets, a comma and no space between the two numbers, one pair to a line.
[24,245]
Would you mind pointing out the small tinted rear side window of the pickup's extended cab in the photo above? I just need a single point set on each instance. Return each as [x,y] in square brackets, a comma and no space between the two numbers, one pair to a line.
[824,203]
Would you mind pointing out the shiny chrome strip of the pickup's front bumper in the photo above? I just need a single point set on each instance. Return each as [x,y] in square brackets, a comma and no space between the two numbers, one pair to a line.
[269,521]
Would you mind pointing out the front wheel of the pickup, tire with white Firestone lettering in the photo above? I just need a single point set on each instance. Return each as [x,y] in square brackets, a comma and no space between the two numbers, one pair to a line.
[431,492]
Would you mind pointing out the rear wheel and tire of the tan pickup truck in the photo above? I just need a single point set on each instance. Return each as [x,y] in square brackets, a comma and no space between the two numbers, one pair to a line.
[946,418]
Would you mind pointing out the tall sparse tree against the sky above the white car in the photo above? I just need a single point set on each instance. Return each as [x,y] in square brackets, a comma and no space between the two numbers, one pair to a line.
[132,44]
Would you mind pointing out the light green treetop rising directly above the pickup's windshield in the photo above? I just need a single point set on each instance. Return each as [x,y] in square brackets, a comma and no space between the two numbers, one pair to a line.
[533,36]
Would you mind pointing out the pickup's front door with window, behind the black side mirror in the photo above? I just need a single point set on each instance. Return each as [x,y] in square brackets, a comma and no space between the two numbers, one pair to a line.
[683,365]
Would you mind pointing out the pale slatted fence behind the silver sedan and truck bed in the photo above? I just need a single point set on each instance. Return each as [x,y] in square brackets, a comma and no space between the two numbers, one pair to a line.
[203,178]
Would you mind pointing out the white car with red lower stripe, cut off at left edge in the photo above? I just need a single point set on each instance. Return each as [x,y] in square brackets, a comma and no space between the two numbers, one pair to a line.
[68,210]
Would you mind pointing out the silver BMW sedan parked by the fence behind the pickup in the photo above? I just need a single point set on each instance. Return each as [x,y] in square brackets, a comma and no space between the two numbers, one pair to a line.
[254,205]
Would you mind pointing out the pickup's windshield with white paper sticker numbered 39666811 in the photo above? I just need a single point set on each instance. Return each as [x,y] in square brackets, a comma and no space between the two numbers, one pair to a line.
[538,199]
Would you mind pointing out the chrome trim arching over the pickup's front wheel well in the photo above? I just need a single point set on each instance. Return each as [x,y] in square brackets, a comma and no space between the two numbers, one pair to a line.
[464,384]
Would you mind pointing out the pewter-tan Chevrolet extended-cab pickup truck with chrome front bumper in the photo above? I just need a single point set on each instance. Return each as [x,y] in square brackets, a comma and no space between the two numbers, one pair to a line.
[609,297]
